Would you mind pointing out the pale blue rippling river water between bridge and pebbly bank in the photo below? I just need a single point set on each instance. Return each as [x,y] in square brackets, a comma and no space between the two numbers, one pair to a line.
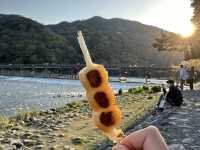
[25,93]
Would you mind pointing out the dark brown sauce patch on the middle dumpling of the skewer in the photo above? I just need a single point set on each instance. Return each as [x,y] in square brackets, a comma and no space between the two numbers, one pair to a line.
[101,99]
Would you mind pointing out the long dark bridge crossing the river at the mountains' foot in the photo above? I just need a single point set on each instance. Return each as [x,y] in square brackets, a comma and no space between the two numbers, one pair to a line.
[61,70]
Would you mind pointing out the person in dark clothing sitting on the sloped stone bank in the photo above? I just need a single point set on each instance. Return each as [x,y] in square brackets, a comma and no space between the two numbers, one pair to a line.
[173,96]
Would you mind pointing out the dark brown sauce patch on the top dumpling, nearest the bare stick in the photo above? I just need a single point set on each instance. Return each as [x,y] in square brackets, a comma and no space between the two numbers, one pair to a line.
[94,78]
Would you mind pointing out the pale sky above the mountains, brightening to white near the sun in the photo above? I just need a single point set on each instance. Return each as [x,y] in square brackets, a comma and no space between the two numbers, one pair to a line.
[171,15]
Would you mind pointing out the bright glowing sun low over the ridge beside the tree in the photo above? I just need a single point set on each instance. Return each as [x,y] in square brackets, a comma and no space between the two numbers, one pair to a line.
[186,30]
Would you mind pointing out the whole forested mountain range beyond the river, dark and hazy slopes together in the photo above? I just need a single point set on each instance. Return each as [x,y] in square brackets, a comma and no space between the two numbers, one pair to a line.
[111,41]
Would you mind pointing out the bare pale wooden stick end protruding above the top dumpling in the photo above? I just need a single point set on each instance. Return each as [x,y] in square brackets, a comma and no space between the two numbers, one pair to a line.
[84,49]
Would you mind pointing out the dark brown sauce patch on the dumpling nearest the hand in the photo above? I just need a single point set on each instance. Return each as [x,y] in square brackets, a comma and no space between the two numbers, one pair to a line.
[107,119]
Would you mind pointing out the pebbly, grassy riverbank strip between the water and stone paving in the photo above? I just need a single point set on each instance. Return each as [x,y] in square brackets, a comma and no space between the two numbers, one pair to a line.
[70,127]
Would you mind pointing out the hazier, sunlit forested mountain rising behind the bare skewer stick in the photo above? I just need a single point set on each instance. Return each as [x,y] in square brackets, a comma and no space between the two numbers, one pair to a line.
[117,41]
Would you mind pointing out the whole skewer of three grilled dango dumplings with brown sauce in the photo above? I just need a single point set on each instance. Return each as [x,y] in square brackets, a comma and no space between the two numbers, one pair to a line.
[94,78]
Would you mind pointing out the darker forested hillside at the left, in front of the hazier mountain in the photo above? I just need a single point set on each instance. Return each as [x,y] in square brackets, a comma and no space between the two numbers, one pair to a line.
[24,41]
